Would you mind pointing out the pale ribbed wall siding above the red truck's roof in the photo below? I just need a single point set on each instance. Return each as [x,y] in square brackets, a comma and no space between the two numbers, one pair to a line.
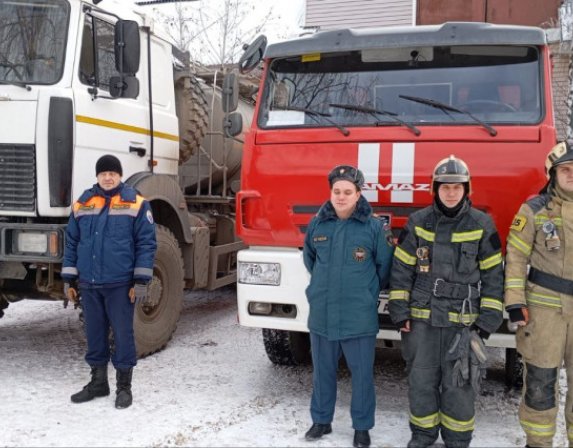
[331,14]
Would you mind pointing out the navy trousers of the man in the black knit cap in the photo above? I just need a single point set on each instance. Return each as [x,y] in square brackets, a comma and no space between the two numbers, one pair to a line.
[104,308]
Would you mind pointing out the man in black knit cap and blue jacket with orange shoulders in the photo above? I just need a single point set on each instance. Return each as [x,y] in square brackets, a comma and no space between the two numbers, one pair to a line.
[109,252]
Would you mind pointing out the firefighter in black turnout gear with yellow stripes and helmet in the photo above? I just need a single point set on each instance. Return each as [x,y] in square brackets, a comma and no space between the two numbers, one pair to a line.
[446,294]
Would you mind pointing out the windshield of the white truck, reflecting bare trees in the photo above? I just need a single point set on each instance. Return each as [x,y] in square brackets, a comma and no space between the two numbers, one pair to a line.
[32,41]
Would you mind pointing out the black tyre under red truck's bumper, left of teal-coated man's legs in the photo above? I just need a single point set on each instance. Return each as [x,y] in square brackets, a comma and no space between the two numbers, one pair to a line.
[287,348]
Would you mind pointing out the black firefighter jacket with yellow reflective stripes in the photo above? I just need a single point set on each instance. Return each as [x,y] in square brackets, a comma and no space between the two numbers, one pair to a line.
[463,250]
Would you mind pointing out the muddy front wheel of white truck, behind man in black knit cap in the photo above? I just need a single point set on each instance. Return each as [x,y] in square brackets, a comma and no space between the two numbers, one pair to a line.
[156,320]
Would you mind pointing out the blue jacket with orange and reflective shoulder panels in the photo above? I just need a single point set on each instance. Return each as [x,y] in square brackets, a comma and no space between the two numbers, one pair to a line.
[110,238]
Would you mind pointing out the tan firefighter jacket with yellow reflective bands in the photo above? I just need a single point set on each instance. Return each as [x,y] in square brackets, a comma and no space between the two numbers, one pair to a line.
[526,245]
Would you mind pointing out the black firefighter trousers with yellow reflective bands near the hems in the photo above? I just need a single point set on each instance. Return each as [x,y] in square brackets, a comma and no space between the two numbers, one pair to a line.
[435,403]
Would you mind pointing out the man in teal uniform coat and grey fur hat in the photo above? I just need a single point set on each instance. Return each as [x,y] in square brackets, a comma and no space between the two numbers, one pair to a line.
[348,254]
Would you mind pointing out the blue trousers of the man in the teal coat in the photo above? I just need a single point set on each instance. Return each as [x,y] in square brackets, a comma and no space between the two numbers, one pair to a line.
[359,355]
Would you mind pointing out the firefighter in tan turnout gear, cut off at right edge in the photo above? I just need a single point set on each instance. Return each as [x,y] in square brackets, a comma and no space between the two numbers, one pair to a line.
[540,300]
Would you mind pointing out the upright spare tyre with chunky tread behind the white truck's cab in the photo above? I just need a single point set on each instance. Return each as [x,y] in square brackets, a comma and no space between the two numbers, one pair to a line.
[193,114]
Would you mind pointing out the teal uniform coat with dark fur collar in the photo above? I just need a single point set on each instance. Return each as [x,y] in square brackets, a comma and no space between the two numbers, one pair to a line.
[349,262]
